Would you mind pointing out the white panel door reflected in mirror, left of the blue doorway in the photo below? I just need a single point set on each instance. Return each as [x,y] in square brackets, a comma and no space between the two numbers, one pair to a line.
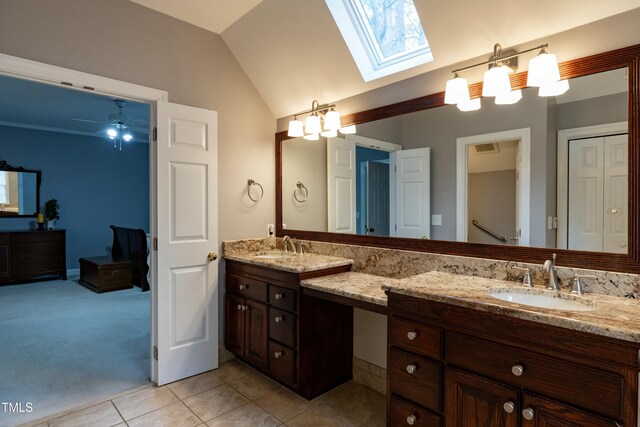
[341,185]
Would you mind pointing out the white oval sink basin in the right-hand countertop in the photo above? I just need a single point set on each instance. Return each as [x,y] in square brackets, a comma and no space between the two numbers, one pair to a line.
[539,299]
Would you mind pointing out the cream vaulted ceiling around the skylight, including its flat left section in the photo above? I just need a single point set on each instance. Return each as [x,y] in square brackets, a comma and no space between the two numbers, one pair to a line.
[293,52]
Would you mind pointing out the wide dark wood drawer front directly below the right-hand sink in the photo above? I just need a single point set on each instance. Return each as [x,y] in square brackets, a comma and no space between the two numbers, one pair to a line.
[584,387]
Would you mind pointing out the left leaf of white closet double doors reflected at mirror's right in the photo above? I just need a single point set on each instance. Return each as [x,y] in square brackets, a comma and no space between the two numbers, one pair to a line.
[586,182]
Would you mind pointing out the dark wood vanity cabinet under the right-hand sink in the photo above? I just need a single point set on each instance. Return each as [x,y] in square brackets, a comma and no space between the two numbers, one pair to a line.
[502,371]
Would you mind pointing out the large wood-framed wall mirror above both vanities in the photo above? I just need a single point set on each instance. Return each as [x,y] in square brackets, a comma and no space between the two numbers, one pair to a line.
[515,182]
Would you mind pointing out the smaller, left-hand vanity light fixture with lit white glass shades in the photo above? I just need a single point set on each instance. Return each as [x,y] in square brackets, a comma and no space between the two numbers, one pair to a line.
[323,120]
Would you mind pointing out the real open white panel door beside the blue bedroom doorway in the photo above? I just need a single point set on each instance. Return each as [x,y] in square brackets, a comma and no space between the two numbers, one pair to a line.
[187,231]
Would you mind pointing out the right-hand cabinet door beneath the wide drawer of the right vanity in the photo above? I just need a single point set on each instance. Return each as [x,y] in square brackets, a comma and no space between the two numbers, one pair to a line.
[549,413]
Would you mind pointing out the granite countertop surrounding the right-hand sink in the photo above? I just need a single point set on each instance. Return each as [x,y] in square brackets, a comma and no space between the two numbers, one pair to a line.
[613,317]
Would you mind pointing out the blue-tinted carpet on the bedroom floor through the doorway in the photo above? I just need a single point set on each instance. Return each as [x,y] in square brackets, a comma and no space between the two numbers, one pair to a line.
[62,345]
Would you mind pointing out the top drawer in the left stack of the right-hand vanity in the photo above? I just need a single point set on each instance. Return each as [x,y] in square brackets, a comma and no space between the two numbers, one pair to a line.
[415,337]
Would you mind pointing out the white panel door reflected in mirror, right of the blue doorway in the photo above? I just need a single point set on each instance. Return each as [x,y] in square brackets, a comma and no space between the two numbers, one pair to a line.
[413,193]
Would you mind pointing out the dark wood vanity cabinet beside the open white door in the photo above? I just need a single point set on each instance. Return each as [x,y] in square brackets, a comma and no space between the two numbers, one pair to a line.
[302,342]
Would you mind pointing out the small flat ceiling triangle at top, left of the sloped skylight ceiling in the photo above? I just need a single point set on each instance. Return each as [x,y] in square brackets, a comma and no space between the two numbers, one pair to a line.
[212,15]
